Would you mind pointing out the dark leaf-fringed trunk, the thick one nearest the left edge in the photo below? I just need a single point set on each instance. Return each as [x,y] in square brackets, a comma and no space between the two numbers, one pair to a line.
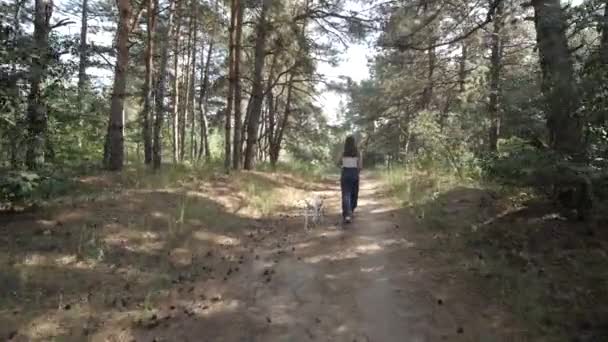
[37,111]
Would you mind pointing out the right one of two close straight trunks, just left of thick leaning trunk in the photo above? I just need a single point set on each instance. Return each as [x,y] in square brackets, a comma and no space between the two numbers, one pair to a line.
[237,150]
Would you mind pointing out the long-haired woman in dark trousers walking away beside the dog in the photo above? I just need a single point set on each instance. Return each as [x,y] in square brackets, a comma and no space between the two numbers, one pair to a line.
[349,180]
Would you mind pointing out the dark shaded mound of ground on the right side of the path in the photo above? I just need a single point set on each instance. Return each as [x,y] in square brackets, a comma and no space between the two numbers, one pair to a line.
[526,256]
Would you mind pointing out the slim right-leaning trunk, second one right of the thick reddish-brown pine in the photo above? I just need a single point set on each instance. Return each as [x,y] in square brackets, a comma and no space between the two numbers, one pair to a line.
[161,88]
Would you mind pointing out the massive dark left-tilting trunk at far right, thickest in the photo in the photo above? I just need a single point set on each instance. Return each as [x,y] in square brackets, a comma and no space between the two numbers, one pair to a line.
[558,83]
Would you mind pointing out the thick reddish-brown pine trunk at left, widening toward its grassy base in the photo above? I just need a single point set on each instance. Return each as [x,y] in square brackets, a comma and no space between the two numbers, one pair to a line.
[115,127]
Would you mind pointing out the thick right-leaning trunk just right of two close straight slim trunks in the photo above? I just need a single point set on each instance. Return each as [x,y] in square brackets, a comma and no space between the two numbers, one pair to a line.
[257,88]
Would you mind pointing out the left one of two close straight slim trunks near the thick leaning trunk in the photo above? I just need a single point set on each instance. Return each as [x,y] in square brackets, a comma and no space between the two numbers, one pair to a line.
[231,82]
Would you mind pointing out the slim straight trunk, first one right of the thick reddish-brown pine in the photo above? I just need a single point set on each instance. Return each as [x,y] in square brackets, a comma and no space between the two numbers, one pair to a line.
[147,112]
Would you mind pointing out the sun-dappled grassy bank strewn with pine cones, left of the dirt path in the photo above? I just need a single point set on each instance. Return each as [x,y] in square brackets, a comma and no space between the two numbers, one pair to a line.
[111,256]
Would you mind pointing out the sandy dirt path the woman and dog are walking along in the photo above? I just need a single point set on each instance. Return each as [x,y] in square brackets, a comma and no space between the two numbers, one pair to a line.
[371,281]
